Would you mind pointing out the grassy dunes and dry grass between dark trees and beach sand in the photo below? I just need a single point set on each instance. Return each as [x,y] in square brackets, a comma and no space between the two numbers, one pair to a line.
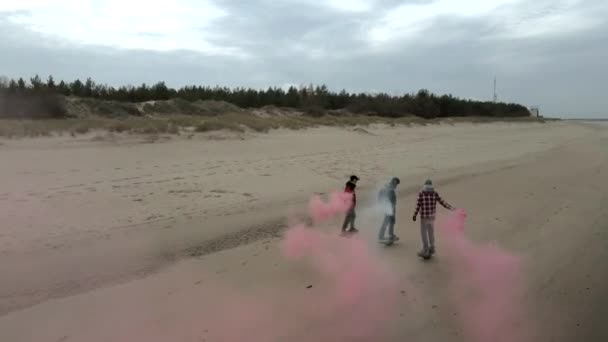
[173,116]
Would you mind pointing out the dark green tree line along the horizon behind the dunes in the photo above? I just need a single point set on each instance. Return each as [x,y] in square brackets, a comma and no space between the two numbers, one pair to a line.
[311,99]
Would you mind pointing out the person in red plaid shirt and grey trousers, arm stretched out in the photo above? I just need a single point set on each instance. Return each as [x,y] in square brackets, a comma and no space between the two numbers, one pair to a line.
[426,207]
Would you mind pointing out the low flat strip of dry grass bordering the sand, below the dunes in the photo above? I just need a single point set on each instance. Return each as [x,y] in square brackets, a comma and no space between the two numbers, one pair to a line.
[237,122]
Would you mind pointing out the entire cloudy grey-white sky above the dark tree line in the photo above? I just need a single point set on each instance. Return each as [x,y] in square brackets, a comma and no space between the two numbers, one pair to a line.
[551,53]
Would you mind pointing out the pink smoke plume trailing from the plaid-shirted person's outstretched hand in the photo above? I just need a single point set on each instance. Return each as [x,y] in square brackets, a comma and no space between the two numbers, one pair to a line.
[485,285]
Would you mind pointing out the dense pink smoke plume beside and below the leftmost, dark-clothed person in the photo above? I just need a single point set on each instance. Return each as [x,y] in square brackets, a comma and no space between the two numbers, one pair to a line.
[361,291]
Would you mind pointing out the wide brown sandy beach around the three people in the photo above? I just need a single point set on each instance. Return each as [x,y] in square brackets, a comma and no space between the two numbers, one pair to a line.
[112,238]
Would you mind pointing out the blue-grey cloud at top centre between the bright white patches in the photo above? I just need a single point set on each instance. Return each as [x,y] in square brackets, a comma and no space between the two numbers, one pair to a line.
[273,28]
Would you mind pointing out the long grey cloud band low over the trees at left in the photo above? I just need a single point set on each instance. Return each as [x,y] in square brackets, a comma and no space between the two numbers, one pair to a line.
[26,54]
